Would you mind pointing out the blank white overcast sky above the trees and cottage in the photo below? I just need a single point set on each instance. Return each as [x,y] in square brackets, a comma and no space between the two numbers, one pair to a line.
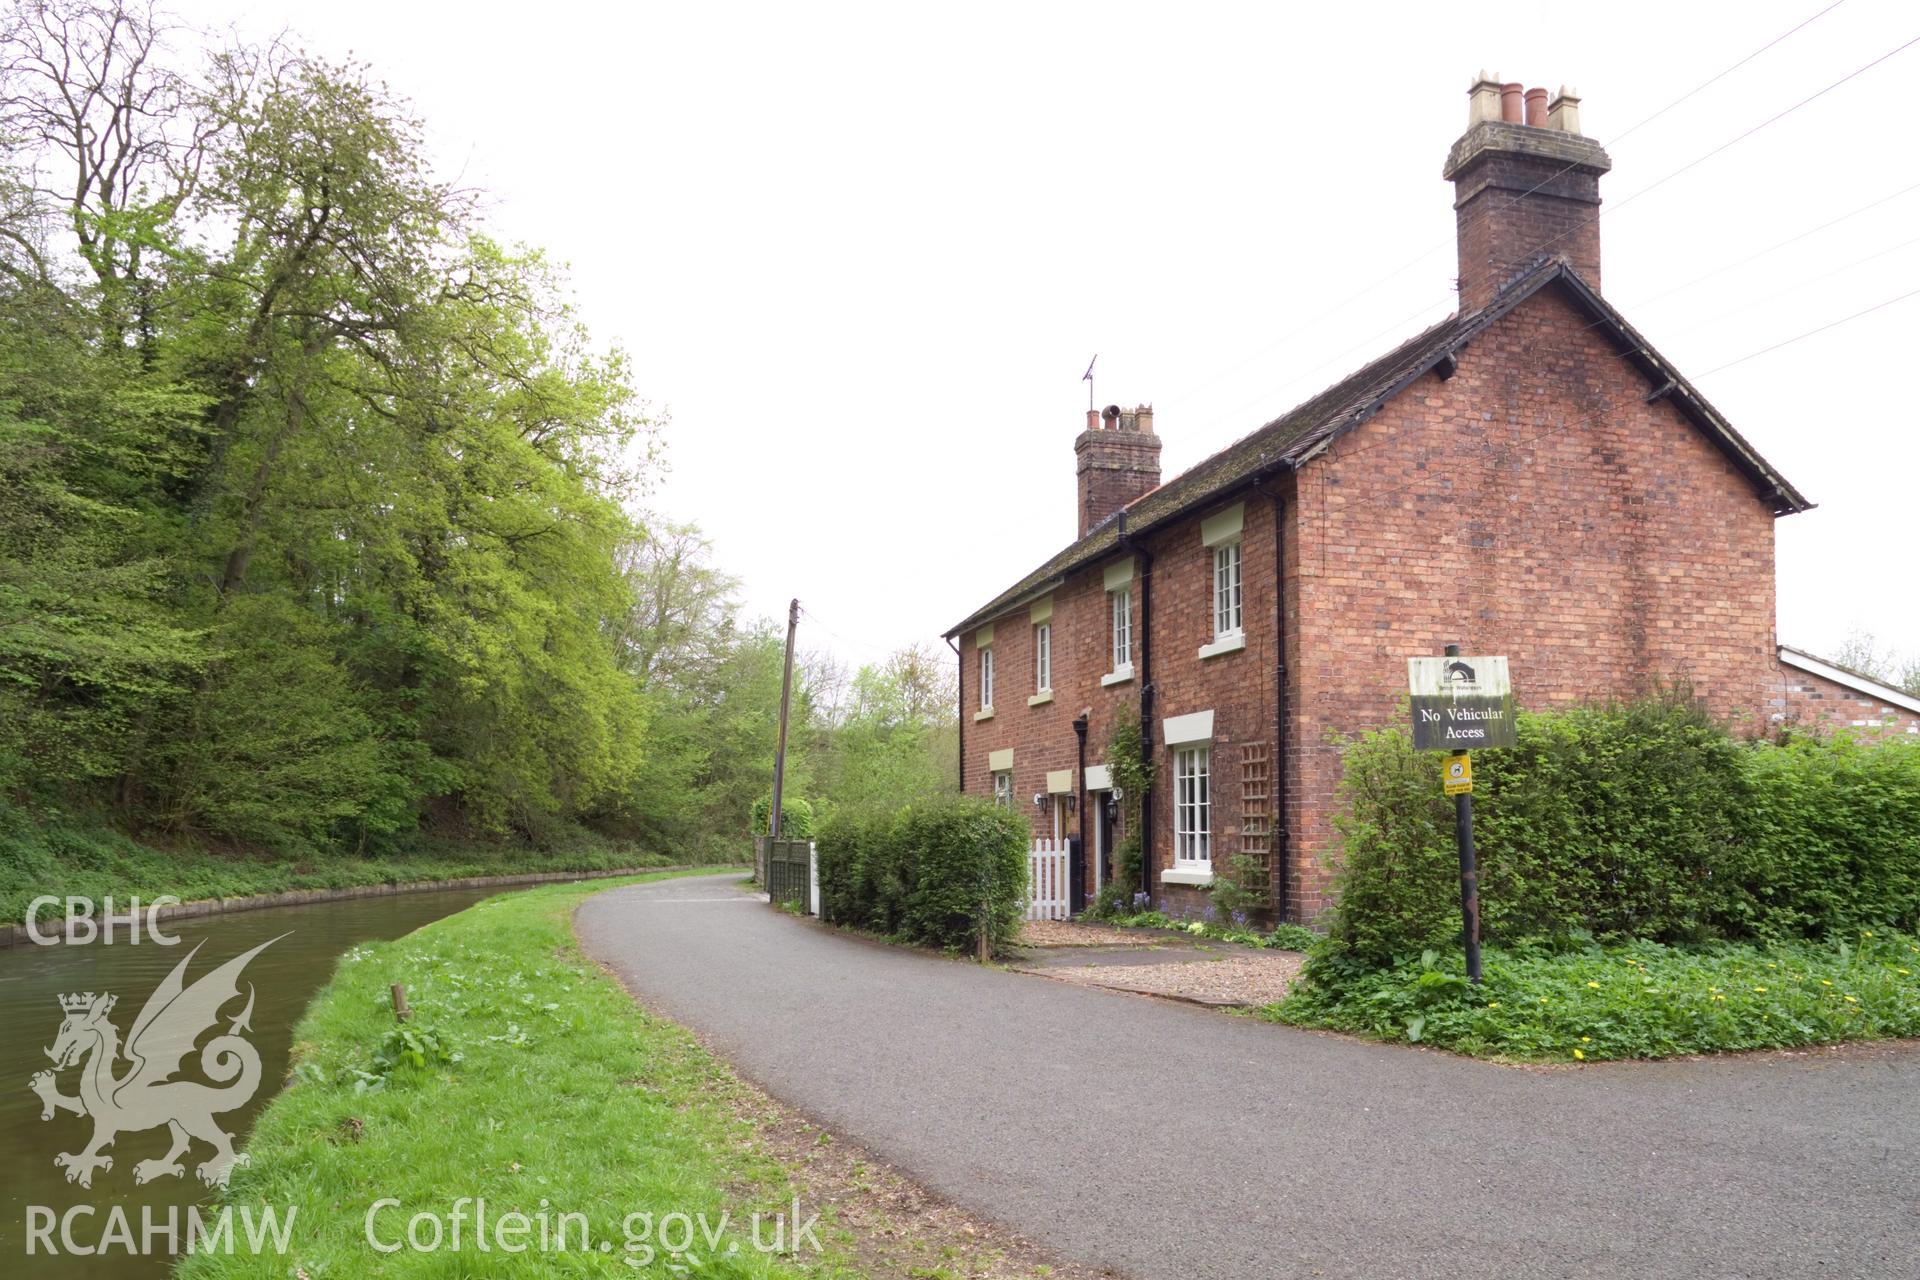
[865,252]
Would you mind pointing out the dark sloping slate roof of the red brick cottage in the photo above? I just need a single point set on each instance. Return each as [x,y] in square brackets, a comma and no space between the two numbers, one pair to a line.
[1299,435]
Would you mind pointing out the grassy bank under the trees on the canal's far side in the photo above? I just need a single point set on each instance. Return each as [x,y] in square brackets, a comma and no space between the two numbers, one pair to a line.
[93,863]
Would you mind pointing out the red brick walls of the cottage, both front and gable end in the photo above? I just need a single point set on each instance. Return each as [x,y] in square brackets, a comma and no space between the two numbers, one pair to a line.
[1533,504]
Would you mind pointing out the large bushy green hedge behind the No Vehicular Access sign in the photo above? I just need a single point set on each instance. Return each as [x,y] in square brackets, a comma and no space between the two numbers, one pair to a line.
[1631,822]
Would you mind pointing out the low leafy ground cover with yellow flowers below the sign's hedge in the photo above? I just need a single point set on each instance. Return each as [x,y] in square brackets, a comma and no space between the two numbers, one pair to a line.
[1637,1001]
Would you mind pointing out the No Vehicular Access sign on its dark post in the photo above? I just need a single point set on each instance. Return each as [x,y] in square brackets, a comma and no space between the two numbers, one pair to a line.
[1462,703]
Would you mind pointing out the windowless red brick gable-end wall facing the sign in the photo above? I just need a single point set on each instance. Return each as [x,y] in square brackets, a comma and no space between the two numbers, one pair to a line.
[1533,506]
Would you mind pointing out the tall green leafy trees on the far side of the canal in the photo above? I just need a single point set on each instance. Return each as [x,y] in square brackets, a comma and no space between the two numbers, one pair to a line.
[322,515]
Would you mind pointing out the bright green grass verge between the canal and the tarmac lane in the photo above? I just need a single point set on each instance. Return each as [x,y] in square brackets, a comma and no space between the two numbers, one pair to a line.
[537,1079]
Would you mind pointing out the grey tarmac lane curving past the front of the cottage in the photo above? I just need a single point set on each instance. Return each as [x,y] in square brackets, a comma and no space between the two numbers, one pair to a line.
[1278,1152]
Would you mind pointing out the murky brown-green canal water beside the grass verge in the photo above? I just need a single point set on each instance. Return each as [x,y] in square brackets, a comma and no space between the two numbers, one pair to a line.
[283,982]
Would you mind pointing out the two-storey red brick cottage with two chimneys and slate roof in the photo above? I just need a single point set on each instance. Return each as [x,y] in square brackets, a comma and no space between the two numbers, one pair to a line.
[1527,477]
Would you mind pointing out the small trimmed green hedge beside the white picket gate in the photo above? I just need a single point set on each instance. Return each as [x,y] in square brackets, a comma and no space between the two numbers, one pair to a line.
[934,874]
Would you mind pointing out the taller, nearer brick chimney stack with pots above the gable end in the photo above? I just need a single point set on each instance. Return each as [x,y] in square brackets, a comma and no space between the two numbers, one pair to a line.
[1525,187]
